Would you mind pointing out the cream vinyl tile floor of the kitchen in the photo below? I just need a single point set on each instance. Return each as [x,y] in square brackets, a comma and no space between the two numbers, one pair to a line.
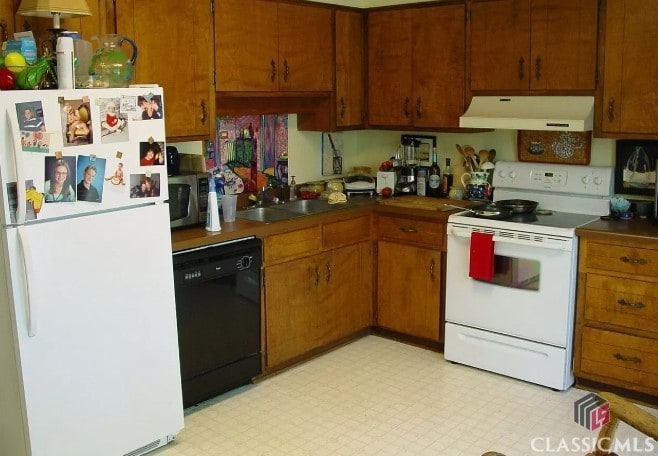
[380,397]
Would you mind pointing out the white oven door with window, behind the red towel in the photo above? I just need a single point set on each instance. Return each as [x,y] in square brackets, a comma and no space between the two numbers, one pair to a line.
[532,293]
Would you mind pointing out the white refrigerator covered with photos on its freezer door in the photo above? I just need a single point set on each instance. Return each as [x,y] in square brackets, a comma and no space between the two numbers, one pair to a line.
[88,343]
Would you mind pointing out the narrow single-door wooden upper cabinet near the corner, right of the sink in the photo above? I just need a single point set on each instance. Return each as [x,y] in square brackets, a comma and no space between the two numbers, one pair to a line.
[350,74]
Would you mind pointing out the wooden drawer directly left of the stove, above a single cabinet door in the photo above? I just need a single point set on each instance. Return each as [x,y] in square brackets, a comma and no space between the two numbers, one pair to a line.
[409,230]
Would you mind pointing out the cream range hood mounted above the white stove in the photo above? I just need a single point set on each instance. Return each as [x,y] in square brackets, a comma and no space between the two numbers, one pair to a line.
[553,113]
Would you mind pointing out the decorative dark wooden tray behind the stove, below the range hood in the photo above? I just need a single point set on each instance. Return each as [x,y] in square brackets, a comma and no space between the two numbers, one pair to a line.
[568,147]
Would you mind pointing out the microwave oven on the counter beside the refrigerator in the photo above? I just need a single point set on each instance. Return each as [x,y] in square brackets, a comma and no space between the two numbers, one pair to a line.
[188,199]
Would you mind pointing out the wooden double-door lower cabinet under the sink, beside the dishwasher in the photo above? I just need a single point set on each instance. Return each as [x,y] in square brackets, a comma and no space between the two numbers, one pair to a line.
[318,288]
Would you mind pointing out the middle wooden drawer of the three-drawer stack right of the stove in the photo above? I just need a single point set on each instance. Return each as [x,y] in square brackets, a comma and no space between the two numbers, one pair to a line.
[623,302]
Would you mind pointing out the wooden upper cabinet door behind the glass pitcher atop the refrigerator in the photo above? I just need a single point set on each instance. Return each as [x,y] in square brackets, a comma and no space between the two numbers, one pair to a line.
[175,52]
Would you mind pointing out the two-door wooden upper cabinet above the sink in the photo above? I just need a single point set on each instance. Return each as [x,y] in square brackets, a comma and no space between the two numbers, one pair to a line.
[268,46]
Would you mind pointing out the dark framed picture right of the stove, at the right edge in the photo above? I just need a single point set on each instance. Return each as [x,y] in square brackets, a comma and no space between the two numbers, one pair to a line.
[635,167]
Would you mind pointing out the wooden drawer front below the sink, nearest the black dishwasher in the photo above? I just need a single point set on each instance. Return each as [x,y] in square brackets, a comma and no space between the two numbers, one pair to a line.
[293,244]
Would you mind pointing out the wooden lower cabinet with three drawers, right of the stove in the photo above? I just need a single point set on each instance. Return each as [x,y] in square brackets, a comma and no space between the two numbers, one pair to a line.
[617,313]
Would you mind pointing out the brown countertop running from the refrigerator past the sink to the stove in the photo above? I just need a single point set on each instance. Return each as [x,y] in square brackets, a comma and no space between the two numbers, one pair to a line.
[418,206]
